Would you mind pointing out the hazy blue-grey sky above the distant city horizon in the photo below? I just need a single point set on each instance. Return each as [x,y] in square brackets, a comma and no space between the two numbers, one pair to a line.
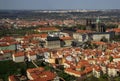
[59,4]
